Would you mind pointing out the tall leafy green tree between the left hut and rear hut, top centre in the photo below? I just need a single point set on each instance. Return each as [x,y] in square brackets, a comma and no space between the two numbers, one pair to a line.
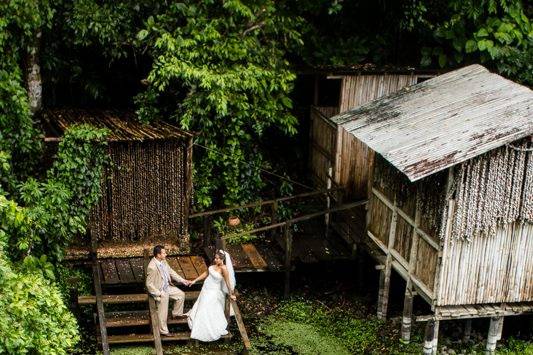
[220,68]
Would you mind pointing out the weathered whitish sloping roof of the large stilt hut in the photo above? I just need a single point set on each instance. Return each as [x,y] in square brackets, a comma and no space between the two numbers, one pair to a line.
[443,121]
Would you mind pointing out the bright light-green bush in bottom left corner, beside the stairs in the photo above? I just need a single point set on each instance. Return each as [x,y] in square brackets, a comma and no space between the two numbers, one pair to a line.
[34,318]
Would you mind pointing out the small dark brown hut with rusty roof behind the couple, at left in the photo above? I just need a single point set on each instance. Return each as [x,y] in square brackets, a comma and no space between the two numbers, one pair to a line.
[146,190]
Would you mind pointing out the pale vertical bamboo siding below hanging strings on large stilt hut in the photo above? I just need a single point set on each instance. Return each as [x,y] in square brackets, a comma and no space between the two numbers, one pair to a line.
[490,269]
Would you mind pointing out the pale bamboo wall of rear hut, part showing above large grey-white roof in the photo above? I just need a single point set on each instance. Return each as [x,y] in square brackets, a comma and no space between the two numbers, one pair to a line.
[360,89]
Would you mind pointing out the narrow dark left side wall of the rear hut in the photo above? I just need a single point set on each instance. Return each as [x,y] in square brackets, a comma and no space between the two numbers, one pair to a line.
[322,142]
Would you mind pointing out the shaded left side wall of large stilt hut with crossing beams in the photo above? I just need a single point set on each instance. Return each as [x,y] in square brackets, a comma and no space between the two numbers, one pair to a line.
[403,226]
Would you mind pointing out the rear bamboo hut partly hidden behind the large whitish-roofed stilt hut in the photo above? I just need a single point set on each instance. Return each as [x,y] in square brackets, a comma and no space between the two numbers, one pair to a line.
[333,153]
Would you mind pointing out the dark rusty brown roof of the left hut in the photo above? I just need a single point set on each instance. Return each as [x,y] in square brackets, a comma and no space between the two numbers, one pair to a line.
[122,125]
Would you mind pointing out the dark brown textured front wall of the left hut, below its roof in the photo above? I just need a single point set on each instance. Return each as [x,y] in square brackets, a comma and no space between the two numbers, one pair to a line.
[144,195]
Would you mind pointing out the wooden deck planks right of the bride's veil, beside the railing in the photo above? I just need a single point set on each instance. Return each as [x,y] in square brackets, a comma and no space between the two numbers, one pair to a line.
[253,257]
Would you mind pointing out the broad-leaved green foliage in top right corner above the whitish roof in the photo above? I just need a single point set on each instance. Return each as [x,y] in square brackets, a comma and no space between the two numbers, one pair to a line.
[490,31]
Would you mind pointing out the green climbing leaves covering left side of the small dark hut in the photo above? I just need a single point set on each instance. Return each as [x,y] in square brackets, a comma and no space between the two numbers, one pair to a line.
[60,206]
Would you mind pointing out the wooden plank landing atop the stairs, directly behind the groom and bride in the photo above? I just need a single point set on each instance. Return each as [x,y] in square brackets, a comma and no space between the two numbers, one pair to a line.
[130,270]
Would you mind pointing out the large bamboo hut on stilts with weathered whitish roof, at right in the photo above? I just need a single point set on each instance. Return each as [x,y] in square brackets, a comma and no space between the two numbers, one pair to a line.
[451,202]
